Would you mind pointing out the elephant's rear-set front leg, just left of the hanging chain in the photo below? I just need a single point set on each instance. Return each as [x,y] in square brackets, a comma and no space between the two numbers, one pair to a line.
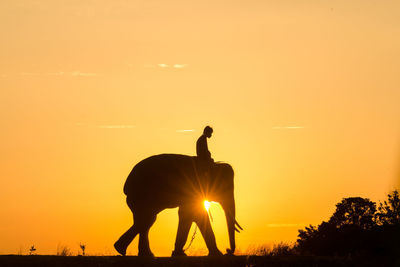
[185,221]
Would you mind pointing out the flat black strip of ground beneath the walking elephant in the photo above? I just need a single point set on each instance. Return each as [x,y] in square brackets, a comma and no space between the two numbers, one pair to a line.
[234,261]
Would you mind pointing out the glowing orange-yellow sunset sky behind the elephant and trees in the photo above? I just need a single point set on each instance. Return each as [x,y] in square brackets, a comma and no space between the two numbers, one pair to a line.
[303,96]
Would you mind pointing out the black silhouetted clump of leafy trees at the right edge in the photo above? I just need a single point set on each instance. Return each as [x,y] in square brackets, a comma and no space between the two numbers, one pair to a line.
[356,228]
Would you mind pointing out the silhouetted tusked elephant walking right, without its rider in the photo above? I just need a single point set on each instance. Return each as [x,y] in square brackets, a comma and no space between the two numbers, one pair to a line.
[172,180]
